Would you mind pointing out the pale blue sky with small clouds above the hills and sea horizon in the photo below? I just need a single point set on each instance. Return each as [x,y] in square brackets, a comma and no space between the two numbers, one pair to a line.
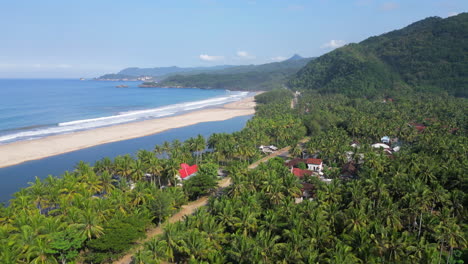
[87,38]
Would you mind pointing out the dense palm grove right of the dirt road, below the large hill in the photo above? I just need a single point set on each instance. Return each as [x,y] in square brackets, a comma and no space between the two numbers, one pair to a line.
[408,207]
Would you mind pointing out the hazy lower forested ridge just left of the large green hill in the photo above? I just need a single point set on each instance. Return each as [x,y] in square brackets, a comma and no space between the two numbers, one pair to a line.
[246,77]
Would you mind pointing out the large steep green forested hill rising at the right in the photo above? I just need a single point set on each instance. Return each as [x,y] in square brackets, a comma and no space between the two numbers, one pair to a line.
[429,55]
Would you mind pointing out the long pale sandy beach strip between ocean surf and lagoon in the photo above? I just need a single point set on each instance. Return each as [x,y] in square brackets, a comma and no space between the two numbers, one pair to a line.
[18,152]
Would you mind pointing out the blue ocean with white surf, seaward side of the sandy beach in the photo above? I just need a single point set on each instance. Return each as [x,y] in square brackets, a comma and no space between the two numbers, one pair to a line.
[35,108]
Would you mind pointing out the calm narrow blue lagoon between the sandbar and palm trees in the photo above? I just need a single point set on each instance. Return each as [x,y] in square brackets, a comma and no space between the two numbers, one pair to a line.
[15,177]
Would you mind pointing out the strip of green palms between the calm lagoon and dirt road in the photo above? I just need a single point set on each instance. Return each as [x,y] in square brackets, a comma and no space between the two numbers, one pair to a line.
[95,213]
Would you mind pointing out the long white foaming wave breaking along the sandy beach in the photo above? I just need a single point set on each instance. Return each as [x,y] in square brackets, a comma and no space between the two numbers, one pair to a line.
[122,117]
